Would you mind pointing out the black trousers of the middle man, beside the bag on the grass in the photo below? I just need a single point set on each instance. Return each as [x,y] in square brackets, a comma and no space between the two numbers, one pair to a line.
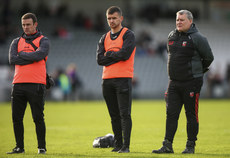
[117,93]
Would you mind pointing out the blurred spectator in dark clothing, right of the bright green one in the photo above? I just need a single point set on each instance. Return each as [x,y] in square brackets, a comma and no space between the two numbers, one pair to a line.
[75,81]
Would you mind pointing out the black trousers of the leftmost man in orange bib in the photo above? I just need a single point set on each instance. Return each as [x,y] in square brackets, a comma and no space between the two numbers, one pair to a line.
[34,94]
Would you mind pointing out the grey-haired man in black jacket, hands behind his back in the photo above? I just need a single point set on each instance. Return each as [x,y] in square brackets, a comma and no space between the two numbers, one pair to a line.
[189,56]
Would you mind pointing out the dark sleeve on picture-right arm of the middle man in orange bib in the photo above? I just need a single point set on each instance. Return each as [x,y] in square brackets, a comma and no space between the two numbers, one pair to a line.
[126,50]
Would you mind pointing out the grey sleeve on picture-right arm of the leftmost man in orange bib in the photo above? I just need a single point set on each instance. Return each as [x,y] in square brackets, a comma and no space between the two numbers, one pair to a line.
[39,54]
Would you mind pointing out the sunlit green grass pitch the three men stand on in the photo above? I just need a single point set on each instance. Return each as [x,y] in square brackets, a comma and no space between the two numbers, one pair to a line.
[72,127]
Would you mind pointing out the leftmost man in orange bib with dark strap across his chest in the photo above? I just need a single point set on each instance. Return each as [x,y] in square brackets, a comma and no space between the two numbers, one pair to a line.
[29,54]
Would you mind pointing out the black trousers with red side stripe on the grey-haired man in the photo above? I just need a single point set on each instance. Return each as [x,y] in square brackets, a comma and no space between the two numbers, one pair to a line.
[178,94]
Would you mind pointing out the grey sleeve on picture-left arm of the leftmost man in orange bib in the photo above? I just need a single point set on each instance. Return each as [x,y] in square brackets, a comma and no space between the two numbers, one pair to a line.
[14,58]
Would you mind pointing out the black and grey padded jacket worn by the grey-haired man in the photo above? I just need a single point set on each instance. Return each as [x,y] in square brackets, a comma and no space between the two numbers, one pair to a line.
[189,54]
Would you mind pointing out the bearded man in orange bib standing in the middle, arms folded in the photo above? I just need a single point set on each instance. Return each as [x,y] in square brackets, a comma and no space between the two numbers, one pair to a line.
[115,52]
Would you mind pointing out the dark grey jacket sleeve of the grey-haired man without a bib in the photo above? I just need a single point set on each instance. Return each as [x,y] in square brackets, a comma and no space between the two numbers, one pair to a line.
[205,51]
